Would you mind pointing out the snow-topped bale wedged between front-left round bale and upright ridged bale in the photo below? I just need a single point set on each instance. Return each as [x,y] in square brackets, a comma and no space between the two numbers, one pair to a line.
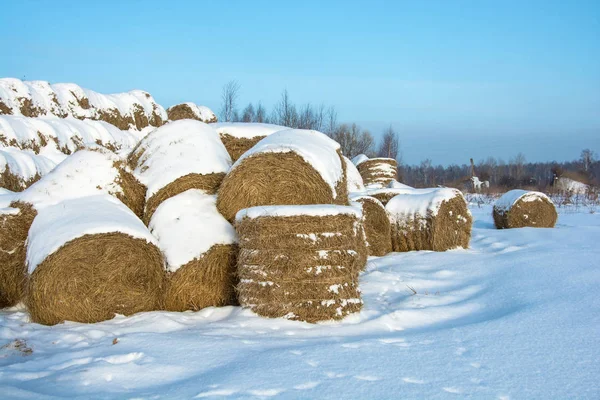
[200,249]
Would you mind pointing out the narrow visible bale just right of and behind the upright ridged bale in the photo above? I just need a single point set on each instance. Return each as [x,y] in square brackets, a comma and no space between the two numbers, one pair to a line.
[376,223]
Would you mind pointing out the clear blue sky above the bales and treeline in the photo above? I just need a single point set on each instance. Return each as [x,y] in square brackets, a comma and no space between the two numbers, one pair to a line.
[457,79]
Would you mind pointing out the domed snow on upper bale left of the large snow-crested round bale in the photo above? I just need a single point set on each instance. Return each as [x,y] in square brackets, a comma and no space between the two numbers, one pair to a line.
[180,148]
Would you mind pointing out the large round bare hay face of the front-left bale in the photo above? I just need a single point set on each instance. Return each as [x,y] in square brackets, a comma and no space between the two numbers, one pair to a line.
[94,277]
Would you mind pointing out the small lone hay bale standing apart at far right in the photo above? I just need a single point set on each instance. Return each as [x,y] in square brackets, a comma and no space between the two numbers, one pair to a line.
[521,208]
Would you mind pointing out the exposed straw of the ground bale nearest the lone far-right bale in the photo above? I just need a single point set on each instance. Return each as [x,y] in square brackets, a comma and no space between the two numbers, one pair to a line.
[448,227]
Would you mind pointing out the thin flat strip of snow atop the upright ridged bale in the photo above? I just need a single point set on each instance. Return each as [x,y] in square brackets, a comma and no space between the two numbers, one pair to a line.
[312,210]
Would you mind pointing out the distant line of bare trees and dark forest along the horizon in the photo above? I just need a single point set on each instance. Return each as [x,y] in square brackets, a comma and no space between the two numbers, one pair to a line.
[354,140]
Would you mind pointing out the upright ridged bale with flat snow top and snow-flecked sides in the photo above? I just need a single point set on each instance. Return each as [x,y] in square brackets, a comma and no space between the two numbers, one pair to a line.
[300,262]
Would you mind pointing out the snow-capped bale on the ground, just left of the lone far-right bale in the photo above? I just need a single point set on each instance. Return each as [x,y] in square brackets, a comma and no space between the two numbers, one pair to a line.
[437,220]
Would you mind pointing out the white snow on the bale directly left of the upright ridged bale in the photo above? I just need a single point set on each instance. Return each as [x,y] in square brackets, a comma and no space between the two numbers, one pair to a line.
[187,226]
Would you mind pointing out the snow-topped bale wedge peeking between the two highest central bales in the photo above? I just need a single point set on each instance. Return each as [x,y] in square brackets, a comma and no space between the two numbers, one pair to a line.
[239,137]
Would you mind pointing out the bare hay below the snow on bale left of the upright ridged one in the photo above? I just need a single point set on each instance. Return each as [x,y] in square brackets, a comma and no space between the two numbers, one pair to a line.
[203,282]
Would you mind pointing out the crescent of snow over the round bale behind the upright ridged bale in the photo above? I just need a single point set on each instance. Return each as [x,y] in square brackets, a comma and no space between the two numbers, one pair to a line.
[314,147]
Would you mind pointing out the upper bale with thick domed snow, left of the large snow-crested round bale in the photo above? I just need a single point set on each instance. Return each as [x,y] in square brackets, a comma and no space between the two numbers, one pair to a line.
[178,156]
